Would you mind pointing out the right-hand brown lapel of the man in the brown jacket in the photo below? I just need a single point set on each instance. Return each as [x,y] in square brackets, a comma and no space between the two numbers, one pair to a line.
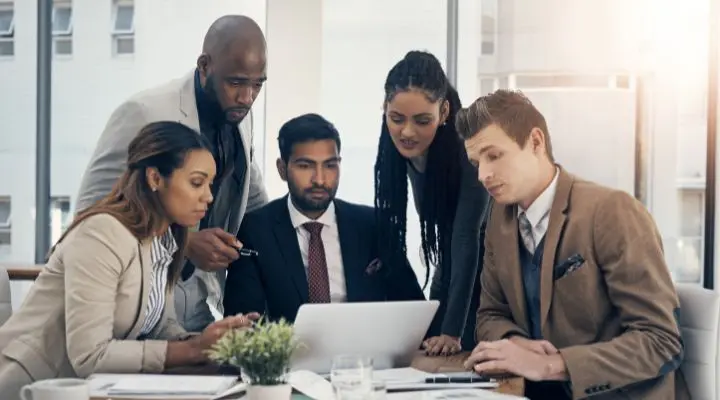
[556,226]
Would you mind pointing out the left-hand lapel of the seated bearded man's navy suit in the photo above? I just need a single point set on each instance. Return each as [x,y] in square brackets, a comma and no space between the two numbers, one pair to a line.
[287,243]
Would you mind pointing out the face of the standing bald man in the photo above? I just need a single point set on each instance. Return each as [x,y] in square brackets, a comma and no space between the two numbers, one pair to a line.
[234,79]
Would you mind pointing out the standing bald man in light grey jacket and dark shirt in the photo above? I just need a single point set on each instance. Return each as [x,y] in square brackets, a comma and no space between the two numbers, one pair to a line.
[215,99]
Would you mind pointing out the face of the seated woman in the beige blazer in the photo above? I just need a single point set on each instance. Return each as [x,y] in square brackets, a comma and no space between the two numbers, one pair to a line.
[186,194]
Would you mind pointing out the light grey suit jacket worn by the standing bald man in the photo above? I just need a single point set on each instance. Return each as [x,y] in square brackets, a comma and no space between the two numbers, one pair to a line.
[175,101]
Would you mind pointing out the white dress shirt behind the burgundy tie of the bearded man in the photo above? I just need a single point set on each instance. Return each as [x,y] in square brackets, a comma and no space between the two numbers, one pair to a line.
[331,243]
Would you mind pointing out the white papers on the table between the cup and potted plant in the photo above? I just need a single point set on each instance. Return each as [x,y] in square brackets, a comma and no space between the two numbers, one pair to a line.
[163,386]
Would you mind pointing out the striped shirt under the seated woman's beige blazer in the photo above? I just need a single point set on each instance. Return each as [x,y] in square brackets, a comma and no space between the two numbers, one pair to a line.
[161,255]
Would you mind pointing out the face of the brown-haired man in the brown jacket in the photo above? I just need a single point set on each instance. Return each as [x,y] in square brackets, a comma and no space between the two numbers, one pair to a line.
[509,172]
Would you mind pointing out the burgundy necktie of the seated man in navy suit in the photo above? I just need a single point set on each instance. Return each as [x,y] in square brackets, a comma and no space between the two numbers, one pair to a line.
[318,281]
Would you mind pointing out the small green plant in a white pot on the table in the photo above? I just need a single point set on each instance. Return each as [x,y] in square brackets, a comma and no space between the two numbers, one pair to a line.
[262,354]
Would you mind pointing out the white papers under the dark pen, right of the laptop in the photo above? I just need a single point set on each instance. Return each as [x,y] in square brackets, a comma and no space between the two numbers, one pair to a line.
[414,379]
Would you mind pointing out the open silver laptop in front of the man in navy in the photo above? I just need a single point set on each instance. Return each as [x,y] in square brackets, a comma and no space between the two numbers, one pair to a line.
[389,332]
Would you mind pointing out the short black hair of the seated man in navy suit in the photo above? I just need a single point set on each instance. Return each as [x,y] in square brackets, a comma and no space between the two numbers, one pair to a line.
[305,128]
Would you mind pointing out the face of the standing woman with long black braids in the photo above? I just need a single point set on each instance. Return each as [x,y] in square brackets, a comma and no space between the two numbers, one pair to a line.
[412,119]
